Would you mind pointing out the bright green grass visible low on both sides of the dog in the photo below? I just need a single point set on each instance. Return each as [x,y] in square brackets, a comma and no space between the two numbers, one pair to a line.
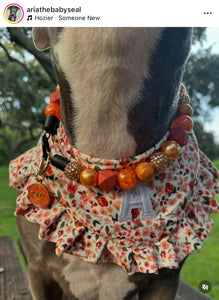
[201,265]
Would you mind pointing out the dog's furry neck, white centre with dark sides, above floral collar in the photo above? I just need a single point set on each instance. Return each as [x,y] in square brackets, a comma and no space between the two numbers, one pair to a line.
[114,101]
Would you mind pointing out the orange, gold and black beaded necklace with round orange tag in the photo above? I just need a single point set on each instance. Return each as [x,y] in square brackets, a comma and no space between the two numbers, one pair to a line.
[122,178]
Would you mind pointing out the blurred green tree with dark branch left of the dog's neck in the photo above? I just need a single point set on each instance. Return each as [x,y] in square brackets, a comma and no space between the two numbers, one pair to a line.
[24,94]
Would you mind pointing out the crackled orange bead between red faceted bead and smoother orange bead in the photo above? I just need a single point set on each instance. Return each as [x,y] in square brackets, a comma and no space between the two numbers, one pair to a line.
[126,178]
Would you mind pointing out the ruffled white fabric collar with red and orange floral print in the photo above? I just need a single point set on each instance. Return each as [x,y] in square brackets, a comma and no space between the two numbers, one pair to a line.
[87,222]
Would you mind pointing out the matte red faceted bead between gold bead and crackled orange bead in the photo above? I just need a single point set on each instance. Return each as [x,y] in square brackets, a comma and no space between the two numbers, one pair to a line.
[106,180]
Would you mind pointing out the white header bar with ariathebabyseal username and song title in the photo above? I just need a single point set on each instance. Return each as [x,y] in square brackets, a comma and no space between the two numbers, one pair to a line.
[98,13]
